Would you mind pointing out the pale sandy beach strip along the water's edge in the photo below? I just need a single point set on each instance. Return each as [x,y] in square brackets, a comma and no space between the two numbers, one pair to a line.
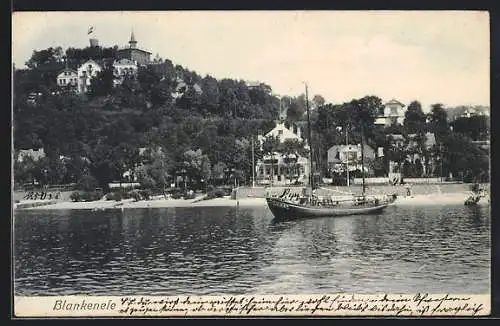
[420,200]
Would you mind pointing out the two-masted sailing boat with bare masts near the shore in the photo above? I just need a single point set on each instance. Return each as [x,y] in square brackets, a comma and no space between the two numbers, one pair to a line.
[289,205]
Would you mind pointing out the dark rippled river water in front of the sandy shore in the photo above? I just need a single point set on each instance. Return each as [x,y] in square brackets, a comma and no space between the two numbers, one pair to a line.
[212,251]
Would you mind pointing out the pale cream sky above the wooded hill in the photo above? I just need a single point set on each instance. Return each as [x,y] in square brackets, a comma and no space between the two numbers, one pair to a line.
[432,57]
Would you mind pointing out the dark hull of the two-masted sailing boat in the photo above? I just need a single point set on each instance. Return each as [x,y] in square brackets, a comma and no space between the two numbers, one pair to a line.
[283,210]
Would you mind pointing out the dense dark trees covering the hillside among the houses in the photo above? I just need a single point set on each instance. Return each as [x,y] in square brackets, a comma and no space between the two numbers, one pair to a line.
[202,124]
